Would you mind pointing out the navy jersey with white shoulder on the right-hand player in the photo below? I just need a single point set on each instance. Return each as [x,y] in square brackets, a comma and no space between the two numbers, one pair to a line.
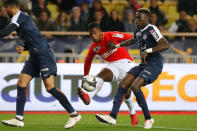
[148,38]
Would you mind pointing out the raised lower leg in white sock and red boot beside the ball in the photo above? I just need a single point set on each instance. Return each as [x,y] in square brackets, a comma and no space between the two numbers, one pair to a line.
[85,97]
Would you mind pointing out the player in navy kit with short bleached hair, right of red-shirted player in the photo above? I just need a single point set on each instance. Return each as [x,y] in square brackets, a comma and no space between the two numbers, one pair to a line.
[151,43]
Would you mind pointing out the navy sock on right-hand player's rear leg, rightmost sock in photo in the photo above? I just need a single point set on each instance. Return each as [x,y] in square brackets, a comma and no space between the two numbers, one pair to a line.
[142,103]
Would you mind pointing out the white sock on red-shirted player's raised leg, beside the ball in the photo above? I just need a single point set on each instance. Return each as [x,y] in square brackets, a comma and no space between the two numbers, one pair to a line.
[99,85]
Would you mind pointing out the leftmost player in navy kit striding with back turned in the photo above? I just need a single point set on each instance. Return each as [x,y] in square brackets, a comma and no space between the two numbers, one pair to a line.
[41,61]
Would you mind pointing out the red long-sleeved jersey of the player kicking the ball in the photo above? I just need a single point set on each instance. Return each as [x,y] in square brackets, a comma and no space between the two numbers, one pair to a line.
[107,54]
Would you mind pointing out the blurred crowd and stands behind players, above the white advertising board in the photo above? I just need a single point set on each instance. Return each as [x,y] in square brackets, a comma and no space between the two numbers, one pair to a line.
[64,24]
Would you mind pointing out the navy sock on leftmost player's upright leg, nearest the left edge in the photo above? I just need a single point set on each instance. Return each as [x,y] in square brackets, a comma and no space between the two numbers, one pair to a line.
[20,100]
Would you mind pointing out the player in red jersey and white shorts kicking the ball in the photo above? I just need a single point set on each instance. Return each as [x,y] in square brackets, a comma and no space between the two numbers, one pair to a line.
[119,63]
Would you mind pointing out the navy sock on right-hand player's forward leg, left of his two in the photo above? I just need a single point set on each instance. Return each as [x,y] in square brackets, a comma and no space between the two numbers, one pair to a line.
[117,102]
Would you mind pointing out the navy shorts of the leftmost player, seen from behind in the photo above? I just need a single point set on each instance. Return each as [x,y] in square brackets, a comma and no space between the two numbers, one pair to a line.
[41,64]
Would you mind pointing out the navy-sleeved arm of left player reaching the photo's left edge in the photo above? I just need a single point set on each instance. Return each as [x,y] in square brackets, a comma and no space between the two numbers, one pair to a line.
[7,30]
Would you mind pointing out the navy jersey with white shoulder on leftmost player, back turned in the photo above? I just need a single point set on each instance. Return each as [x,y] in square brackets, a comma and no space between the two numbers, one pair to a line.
[28,32]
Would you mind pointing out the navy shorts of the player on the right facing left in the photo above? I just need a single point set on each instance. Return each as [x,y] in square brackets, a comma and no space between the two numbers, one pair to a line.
[149,72]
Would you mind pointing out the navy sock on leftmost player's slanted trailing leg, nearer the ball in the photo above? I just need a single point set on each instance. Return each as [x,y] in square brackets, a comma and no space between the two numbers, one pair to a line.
[62,99]
